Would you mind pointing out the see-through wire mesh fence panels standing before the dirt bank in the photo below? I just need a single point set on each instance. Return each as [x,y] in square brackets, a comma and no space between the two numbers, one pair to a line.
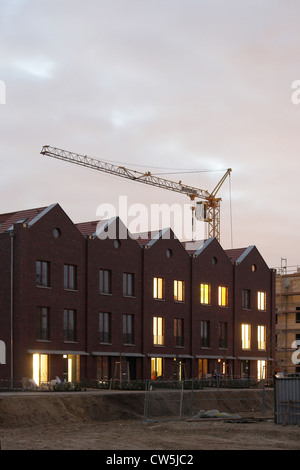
[188,399]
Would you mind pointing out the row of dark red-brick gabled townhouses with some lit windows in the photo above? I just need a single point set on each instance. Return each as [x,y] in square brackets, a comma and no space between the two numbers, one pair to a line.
[86,300]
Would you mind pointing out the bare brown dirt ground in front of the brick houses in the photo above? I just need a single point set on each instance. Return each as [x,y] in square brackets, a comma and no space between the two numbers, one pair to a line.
[115,421]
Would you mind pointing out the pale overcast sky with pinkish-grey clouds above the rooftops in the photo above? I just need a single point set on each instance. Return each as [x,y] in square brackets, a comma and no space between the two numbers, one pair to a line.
[168,85]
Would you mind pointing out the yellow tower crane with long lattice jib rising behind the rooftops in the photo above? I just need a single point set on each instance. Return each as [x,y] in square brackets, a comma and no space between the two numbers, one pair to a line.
[207,209]
